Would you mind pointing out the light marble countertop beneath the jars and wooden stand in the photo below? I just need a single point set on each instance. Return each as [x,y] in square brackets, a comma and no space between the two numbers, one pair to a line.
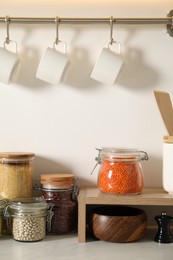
[67,247]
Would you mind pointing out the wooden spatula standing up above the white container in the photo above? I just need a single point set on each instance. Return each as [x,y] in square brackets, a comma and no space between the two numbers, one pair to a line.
[165,106]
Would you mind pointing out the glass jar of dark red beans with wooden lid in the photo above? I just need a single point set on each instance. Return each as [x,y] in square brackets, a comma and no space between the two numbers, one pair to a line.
[60,192]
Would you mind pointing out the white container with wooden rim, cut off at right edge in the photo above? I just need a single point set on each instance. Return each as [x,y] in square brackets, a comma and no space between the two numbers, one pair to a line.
[168,164]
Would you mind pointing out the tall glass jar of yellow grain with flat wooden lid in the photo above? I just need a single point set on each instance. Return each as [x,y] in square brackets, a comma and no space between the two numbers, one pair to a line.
[16,175]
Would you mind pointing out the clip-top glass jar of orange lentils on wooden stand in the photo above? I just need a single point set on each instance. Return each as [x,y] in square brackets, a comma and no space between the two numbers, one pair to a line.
[120,171]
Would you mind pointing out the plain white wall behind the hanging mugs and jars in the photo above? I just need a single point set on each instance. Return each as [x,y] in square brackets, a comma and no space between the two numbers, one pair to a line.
[63,124]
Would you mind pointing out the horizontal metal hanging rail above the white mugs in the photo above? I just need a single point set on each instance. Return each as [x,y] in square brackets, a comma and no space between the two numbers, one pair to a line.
[49,20]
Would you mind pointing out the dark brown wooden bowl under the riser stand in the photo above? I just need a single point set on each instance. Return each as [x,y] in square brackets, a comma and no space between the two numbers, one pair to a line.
[118,223]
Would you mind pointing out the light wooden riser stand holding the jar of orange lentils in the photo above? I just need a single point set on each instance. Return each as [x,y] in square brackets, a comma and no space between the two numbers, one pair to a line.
[92,196]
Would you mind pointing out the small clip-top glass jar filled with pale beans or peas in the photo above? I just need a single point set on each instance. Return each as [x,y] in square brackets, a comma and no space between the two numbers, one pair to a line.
[27,218]
